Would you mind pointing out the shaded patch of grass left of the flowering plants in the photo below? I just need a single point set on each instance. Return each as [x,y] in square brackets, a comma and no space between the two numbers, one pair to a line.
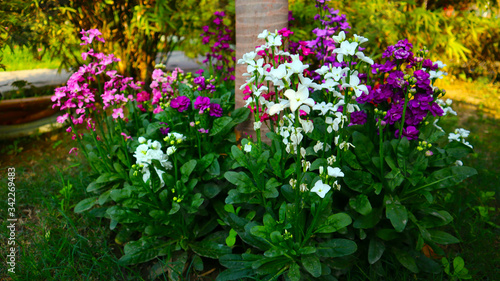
[53,242]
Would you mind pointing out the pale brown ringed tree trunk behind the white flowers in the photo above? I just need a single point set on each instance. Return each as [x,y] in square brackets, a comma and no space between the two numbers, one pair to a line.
[252,17]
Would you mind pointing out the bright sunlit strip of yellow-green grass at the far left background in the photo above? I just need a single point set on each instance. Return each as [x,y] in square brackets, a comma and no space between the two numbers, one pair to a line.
[22,59]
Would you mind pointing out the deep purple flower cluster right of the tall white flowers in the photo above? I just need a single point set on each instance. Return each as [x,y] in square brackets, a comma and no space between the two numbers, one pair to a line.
[400,86]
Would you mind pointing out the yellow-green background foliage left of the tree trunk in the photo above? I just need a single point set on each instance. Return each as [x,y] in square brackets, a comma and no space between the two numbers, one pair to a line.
[139,30]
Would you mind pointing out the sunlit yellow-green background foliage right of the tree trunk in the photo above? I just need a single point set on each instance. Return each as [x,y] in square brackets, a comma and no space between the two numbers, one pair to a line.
[463,36]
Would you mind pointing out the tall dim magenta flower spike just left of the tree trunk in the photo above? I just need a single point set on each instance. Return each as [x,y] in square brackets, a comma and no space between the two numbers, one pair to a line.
[221,50]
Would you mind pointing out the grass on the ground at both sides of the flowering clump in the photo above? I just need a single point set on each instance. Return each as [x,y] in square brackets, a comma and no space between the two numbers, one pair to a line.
[56,244]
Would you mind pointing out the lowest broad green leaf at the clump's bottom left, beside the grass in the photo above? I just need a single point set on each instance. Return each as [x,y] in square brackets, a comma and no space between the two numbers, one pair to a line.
[143,250]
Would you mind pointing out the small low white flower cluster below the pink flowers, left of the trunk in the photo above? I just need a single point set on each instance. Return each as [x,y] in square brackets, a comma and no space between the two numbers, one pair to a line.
[145,153]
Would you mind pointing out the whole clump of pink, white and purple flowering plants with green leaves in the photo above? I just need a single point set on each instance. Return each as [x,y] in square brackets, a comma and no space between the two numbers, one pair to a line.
[349,177]
